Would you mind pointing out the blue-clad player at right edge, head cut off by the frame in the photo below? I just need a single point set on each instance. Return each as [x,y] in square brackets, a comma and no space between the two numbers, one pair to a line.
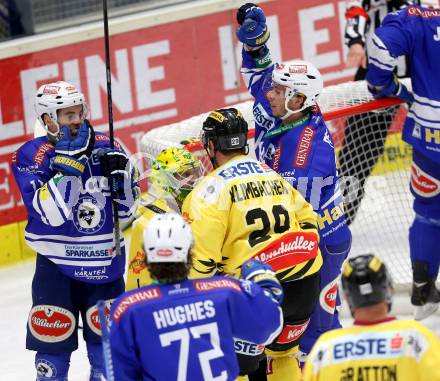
[415,32]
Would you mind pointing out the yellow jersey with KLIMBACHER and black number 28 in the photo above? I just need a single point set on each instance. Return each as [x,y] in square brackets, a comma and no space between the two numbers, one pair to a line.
[244,209]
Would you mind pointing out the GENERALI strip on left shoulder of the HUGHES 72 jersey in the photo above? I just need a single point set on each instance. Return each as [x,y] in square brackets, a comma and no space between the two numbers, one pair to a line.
[133,299]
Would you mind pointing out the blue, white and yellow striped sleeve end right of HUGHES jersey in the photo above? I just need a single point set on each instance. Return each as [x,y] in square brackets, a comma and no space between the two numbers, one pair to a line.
[263,275]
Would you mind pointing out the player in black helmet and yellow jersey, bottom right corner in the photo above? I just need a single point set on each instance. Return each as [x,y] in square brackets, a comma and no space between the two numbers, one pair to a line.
[378,347]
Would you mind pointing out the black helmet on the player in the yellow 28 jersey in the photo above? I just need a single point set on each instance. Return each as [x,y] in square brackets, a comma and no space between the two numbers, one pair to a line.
[226,128]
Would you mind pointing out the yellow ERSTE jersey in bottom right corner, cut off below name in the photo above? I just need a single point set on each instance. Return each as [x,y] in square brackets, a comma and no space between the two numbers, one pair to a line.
[395,350]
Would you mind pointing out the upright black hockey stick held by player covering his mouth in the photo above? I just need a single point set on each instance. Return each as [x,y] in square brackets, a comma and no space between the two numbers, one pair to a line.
[110,125]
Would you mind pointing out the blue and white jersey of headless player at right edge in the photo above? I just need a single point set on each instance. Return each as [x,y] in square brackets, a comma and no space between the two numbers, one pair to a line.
[415,32]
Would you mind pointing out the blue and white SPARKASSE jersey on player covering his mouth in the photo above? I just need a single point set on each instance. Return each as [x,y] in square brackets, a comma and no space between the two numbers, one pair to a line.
[70,219]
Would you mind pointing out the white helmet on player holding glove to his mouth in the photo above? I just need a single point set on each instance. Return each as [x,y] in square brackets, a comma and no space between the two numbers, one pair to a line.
[52,97]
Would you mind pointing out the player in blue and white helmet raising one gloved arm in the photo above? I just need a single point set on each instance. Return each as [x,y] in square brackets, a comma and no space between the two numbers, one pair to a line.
[292,138]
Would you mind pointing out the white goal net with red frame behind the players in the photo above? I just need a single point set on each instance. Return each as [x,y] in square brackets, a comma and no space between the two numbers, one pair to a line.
[373,161]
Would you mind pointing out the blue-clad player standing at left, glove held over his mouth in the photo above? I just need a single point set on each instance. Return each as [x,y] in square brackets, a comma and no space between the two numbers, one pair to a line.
[64,181]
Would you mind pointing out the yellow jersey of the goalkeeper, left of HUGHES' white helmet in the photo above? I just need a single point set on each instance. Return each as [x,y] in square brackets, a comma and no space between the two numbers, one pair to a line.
[137,271]
